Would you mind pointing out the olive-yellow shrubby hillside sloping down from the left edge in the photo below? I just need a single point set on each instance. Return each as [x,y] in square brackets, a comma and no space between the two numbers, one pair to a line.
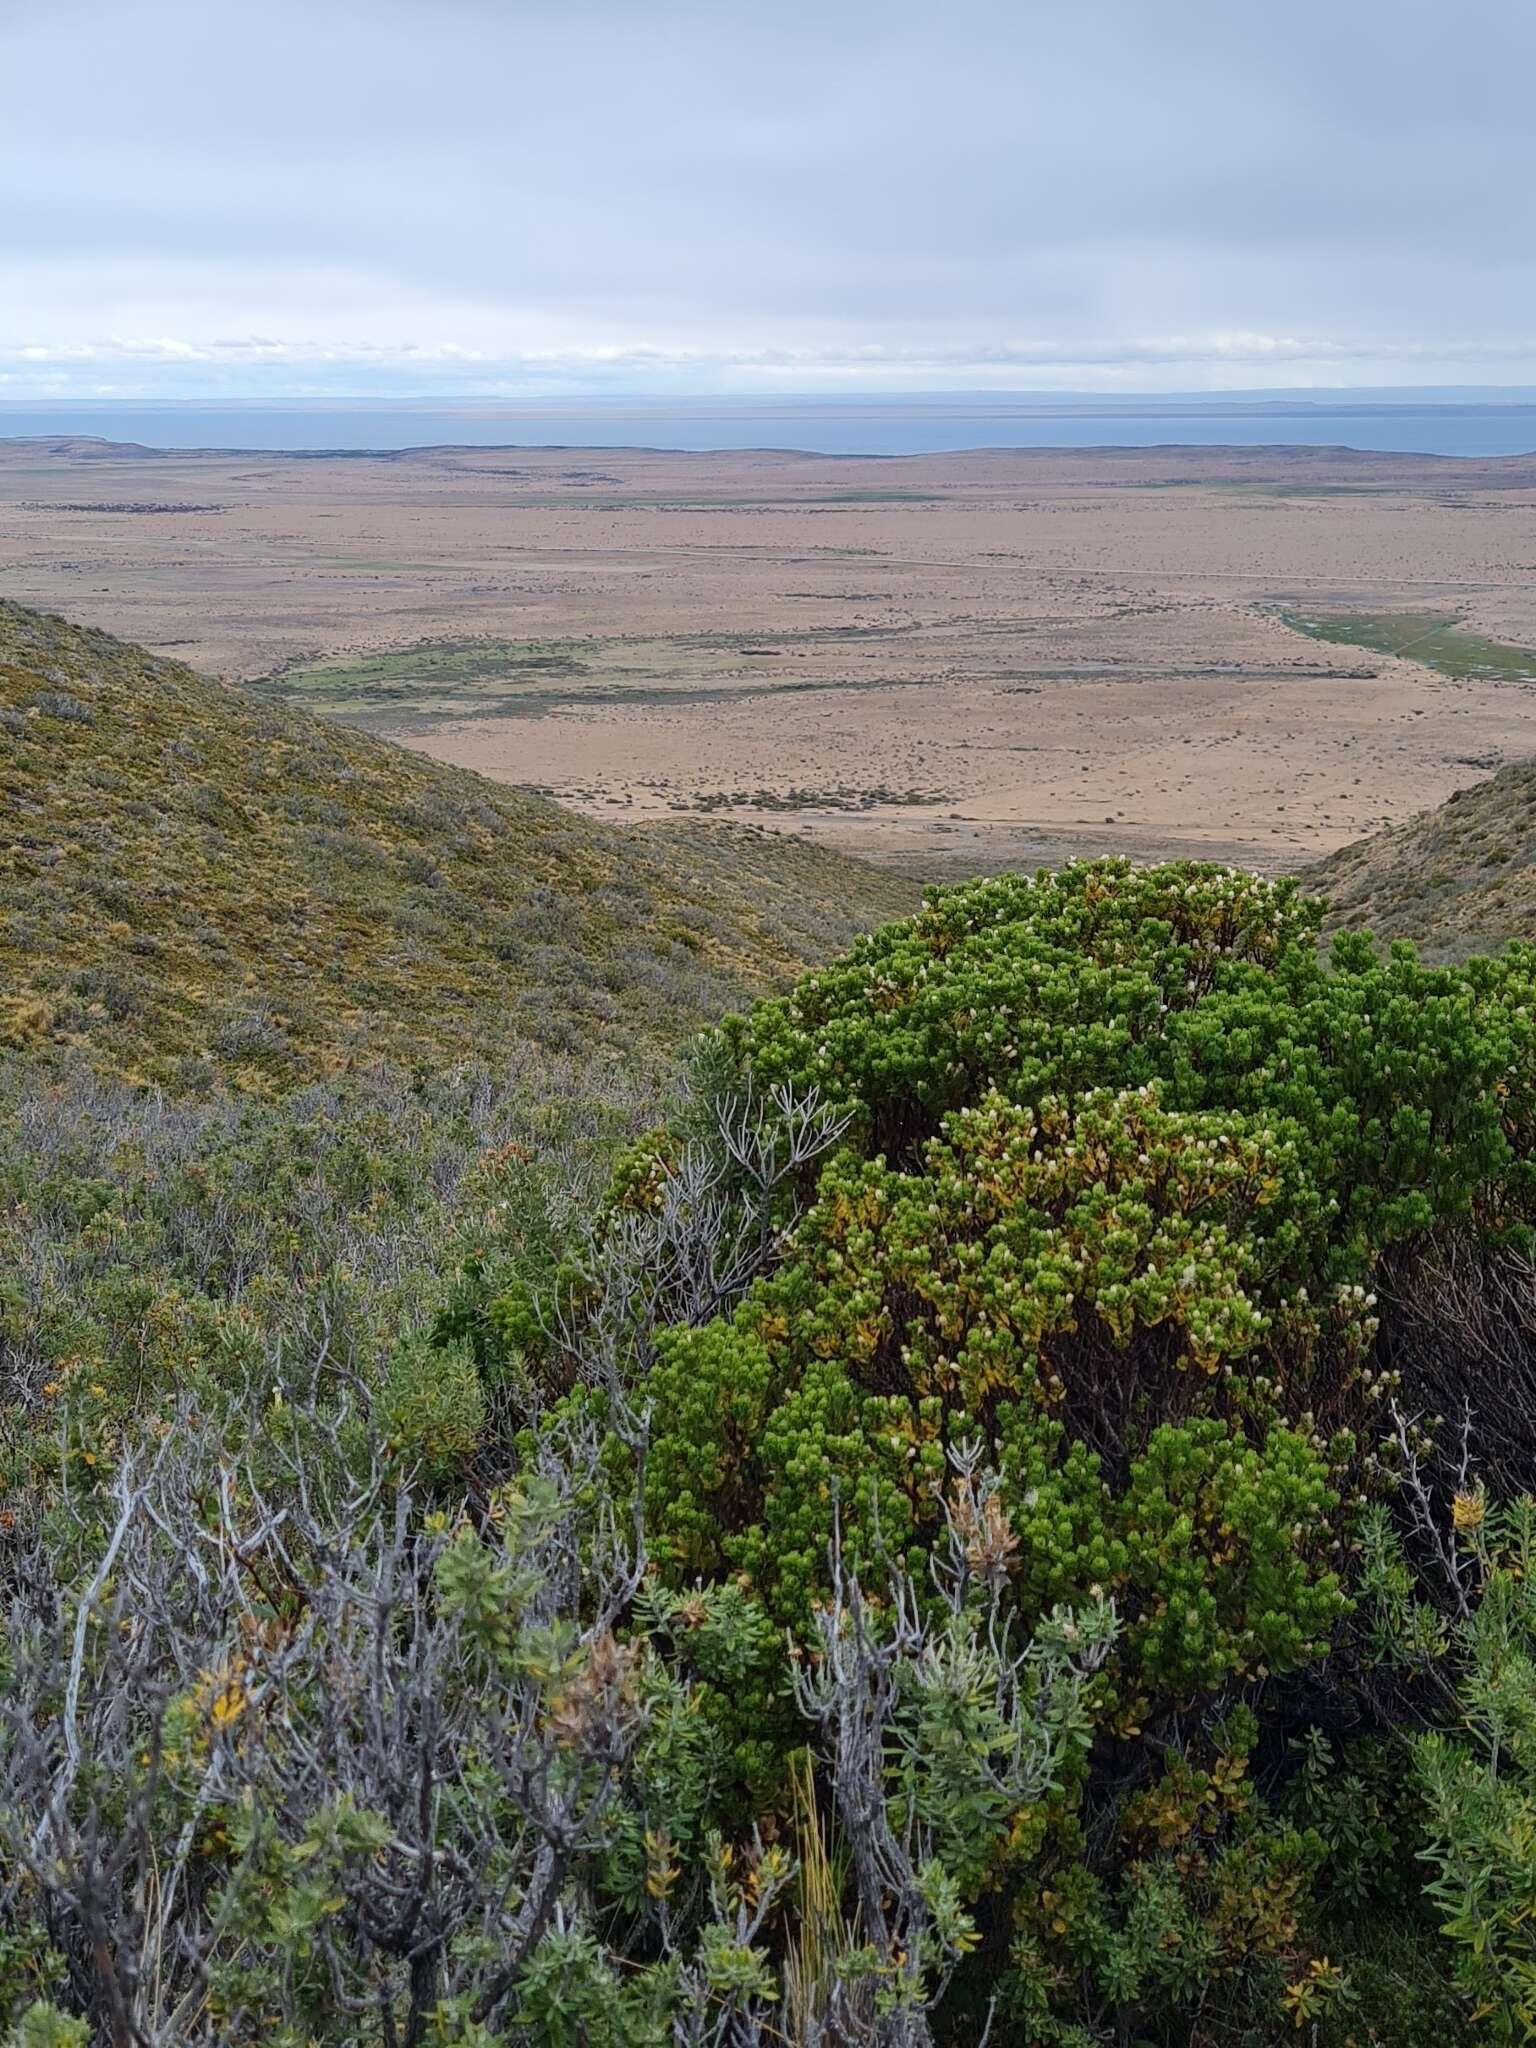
[191,878]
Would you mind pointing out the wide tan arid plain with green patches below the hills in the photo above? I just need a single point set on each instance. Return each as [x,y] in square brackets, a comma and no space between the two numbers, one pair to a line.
[949,663]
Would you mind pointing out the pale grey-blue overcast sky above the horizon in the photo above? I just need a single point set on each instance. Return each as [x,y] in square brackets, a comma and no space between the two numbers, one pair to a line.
[278,198]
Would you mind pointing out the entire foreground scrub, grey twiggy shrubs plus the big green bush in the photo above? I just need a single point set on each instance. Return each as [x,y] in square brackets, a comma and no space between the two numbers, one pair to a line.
[1007,1514]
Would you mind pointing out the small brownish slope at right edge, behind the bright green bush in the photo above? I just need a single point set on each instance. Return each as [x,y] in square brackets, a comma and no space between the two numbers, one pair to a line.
[1457,880]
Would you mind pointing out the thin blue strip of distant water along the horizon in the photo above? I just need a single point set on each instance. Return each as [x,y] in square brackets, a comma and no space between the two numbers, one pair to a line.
[1457,423]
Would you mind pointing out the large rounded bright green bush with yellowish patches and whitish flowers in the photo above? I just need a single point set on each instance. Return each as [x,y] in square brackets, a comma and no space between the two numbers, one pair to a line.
[1125,1160]
